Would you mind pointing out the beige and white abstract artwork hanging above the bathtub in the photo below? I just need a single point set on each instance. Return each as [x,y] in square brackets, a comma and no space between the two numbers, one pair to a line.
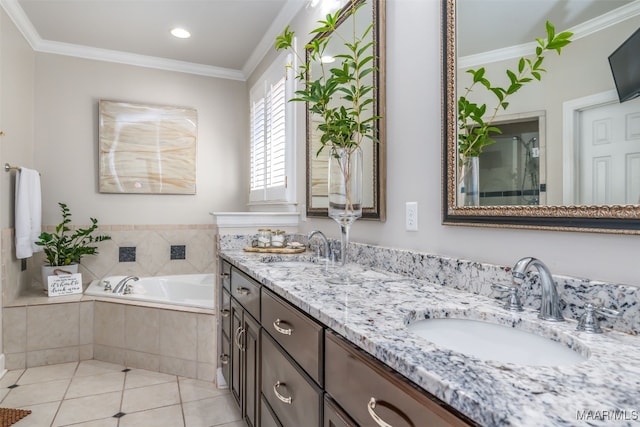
[147,149]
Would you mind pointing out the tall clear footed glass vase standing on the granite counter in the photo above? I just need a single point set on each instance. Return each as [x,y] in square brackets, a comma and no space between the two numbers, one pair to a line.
[345,197]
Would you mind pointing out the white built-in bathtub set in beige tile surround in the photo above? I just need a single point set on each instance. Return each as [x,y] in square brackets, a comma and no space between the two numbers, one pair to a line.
[190,290]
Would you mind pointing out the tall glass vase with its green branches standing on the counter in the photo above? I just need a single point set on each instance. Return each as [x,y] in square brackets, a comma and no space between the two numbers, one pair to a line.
[340,95]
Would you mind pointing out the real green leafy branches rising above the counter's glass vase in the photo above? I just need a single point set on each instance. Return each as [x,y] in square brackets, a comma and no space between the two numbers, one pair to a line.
[339,96]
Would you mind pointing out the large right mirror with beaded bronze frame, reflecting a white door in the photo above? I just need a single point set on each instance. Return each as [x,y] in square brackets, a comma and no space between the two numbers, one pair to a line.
[572,191]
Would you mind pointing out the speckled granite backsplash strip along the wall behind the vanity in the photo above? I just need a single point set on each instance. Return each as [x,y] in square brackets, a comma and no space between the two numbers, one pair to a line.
[478,277]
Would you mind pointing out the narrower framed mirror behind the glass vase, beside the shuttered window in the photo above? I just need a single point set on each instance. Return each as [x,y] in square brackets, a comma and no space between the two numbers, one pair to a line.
[374,178]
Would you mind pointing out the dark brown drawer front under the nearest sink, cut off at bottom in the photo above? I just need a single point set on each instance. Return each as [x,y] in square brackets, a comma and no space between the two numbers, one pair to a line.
[366,389]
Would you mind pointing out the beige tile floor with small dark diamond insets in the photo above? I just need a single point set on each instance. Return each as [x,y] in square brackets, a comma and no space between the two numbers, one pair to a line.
[90,394]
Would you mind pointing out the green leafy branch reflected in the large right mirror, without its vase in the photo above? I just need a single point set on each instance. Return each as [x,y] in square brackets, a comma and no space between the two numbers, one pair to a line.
[473,129]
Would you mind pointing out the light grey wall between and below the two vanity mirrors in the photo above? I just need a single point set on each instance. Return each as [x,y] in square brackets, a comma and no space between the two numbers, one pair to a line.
[414,143]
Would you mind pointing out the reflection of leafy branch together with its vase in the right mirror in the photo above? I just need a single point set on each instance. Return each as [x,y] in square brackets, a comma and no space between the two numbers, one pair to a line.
[475,122]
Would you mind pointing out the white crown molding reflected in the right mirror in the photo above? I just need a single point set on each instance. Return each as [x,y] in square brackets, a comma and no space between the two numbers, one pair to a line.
[579,31]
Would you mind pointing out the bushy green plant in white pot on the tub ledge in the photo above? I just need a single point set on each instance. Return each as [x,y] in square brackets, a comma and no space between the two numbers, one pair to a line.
[64,248]
